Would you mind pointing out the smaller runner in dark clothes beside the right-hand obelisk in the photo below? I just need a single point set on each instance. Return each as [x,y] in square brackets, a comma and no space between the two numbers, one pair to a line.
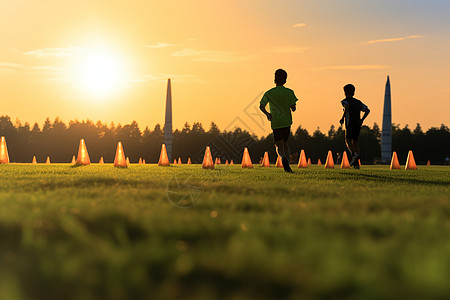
[353,122]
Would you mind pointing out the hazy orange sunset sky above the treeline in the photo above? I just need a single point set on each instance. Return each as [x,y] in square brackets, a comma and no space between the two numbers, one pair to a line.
[109,60]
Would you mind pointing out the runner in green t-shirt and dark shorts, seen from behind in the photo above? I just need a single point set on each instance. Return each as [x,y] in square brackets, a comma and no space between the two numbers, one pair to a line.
[281,101]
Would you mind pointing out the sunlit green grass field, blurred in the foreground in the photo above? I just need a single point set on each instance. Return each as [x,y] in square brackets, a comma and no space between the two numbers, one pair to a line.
[152,232]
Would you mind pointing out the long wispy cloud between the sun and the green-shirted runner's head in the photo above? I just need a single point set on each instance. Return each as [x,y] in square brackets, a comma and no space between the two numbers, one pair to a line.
[211,55]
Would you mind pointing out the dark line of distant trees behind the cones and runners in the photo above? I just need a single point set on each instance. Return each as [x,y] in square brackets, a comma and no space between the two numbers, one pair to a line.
[60,141]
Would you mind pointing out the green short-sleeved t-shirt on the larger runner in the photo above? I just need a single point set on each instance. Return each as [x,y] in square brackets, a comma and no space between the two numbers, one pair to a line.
[280,100]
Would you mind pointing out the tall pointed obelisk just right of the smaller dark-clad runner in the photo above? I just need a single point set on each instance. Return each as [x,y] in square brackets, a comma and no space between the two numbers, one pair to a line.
[386,132]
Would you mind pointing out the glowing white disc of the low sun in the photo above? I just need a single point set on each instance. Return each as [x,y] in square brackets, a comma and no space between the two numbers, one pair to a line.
[99,72]
